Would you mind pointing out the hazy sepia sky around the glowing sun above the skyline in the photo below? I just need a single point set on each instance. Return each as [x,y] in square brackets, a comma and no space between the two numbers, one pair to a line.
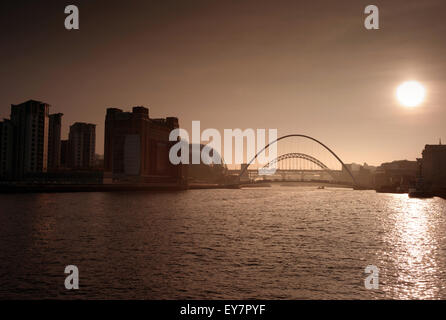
[307,67]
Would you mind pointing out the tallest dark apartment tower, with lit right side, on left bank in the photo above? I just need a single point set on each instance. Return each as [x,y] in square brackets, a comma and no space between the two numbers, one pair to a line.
[31,124]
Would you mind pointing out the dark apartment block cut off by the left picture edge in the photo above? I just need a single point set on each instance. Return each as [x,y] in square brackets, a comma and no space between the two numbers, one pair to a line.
[6,149]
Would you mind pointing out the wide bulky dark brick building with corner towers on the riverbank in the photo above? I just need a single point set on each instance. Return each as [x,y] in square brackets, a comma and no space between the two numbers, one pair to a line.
[137,147]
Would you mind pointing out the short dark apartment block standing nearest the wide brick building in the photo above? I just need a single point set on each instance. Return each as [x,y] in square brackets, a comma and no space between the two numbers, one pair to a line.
[81,145]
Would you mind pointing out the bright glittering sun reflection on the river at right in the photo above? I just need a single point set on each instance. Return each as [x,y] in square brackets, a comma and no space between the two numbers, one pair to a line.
[414,247]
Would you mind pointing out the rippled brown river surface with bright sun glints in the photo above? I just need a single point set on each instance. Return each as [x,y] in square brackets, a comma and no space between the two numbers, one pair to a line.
[266,243]
